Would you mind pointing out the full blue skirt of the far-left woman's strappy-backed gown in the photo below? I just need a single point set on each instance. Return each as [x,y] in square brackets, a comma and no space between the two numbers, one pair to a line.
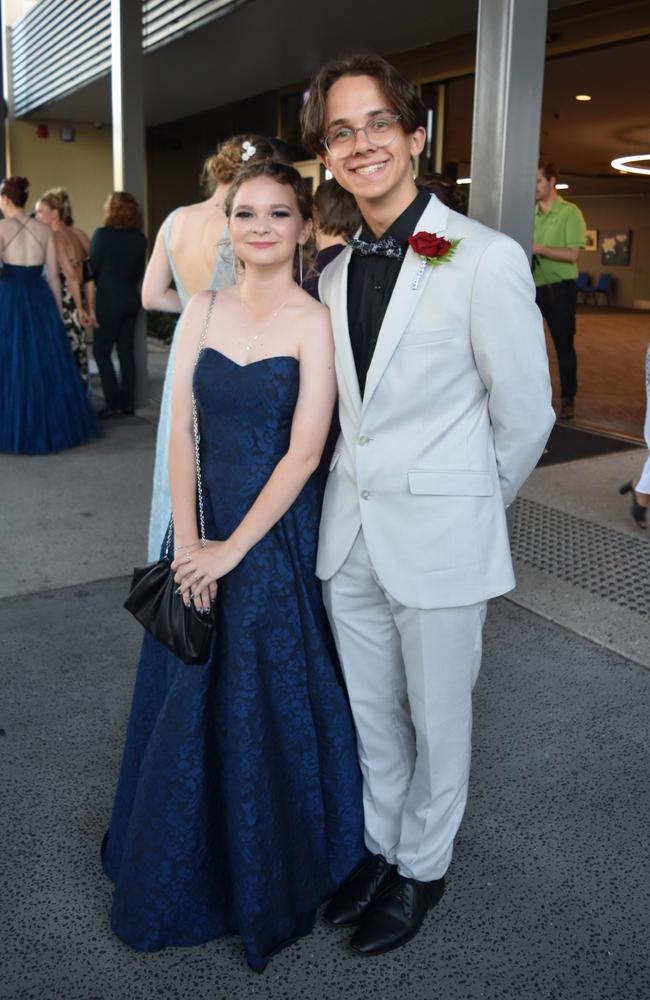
[44,404]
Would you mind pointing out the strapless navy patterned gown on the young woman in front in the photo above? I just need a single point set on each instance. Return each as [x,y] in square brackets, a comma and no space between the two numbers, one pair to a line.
[238,806]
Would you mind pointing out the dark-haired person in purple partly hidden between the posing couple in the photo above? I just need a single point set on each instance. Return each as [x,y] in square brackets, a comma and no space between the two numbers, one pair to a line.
[336,217]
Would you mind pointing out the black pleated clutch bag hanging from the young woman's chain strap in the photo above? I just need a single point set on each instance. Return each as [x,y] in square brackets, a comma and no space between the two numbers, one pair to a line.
[153,601]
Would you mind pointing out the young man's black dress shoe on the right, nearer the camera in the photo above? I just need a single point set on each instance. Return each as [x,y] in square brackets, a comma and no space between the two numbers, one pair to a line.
[396,915]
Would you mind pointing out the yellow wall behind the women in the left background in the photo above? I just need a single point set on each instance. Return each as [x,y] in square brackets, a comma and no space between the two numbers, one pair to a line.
[83,167]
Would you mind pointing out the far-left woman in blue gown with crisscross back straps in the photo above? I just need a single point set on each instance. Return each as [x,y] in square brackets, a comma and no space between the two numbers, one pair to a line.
[43,403]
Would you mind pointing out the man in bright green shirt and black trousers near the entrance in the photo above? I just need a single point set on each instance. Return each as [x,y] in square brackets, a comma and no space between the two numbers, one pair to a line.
[560,233]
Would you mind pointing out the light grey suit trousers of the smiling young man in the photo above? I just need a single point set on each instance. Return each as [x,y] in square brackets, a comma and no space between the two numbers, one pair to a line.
[409,674]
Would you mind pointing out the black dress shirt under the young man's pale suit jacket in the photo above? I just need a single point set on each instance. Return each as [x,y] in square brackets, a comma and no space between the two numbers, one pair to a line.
[371,281]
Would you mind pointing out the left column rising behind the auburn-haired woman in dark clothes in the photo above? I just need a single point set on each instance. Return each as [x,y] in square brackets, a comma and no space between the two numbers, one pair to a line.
[129,156]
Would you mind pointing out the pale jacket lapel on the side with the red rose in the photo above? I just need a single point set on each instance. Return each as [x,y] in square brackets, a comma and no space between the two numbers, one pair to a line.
[403,300]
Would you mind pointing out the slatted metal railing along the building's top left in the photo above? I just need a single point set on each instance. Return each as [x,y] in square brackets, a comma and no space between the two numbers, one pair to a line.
[58,47]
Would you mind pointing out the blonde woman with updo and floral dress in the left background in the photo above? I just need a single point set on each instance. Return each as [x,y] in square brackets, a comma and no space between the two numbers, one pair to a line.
[52,208]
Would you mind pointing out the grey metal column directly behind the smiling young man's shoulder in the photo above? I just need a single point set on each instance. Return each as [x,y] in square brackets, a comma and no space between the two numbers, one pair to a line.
[507,114]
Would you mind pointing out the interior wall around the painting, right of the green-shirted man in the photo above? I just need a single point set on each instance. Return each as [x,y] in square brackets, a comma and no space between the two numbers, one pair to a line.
[620,213]
